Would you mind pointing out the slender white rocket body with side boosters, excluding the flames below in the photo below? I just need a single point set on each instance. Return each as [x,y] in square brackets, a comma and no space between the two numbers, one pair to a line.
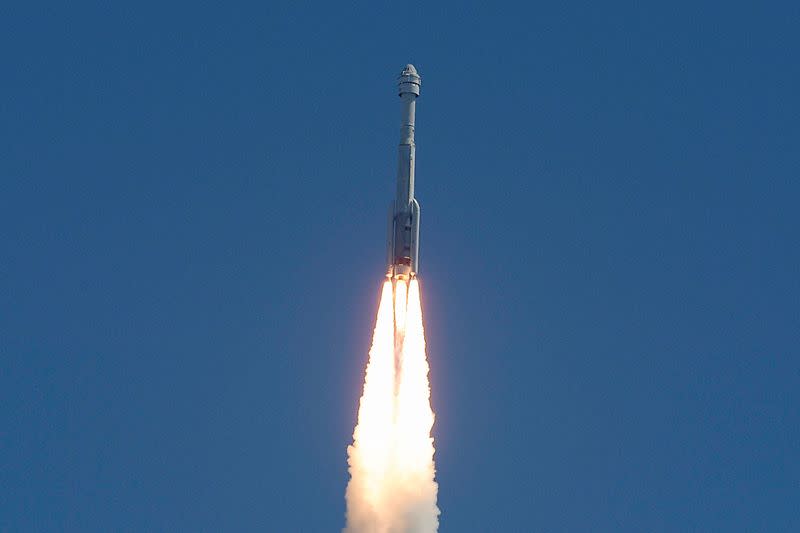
[403,231]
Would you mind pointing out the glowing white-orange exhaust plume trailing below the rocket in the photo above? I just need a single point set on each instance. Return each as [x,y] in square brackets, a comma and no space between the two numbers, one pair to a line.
[392,487]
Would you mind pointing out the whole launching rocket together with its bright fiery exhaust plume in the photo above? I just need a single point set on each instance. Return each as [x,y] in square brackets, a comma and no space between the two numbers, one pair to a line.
[392,487]
